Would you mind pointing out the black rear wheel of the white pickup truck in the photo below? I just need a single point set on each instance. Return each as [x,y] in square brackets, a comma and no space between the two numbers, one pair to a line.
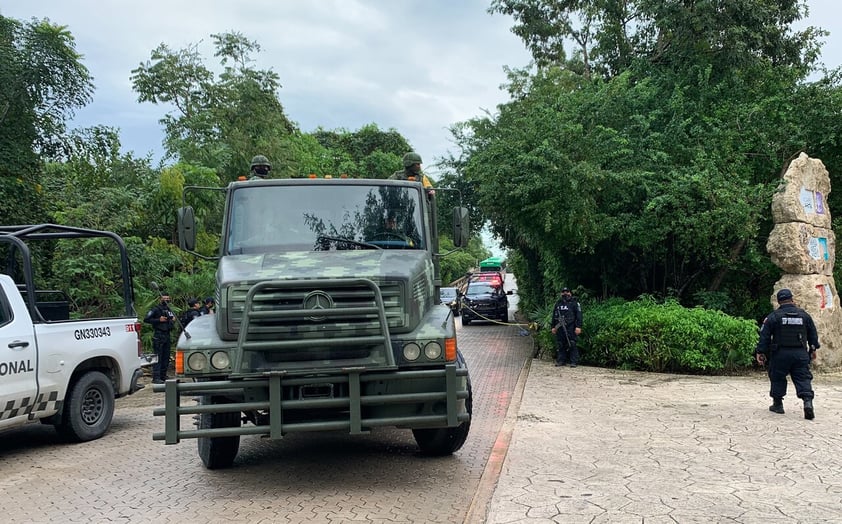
[88,408]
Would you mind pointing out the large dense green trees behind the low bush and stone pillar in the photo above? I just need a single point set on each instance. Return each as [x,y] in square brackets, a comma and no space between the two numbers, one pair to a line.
[645,162]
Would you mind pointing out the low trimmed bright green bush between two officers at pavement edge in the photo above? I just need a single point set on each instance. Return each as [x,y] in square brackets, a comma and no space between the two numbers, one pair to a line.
[665,337]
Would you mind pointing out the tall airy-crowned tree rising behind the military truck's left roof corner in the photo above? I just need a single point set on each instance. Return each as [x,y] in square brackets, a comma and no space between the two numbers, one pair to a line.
[218,121]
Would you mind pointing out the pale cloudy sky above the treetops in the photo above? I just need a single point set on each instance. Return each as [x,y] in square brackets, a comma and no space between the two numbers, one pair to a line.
[414,65]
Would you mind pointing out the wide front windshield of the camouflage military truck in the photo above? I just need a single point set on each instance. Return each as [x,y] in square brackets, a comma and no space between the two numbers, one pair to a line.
[263,219]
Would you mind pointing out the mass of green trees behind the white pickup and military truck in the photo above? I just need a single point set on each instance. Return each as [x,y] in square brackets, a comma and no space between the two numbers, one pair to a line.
[215,124]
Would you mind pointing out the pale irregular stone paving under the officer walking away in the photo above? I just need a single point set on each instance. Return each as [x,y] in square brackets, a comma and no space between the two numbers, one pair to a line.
[595,445]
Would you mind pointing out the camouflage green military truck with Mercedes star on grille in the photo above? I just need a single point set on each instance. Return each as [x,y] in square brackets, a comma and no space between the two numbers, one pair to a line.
[328,318]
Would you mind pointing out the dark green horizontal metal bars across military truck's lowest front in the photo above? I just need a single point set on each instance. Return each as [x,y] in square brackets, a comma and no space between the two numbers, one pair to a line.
[353,403]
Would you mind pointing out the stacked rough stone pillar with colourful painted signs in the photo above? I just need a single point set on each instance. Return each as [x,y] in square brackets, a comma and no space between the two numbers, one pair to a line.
[803,245]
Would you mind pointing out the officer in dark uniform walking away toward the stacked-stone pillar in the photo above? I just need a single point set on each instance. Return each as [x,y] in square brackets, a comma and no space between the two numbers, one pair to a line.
[788,342]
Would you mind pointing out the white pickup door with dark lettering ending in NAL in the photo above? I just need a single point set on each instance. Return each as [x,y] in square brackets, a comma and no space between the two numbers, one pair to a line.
[18,358]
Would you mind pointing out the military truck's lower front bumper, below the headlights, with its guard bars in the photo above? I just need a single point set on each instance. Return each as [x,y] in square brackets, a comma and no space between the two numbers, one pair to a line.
[424,398]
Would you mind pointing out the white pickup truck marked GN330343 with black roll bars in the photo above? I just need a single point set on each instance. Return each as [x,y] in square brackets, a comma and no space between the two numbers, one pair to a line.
[61,371]
